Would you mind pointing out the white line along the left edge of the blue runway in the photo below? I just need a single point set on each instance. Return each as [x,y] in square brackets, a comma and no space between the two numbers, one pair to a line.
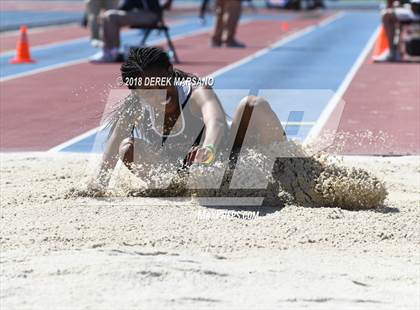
[247,59]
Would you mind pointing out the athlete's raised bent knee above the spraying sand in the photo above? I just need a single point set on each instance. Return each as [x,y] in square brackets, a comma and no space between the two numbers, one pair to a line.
[255,119]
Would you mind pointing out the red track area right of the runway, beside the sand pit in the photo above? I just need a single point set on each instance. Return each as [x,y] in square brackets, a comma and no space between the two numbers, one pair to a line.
[383,99]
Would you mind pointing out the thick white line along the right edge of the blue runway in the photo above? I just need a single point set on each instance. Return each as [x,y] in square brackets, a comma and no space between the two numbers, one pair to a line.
[325,115]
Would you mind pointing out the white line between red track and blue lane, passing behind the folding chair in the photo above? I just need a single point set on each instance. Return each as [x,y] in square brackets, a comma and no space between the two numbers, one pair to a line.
[86,59]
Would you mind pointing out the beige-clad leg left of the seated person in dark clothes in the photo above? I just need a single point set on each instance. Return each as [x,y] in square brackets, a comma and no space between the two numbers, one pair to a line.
[93,9]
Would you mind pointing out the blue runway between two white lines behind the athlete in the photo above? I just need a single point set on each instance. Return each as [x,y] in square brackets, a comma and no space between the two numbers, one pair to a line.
[298,78]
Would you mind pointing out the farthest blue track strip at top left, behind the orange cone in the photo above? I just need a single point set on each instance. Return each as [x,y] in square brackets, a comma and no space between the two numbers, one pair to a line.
[11,20]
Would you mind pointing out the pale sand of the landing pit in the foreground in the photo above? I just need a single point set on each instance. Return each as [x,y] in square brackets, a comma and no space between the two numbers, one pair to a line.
[87,253]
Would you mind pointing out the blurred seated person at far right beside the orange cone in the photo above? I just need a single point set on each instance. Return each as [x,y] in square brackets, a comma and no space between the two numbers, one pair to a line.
[396,12]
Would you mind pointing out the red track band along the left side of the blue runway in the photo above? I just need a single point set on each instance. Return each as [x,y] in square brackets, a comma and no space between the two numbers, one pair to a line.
[46,109]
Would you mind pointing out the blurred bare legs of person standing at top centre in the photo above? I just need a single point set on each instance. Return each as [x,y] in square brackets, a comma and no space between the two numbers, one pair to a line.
[228,13]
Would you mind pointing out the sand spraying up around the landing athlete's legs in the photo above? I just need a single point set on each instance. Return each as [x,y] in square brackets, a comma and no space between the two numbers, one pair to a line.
[295,177]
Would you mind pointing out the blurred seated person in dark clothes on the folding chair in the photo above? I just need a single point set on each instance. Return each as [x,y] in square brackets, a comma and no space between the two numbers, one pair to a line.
[129,13]
